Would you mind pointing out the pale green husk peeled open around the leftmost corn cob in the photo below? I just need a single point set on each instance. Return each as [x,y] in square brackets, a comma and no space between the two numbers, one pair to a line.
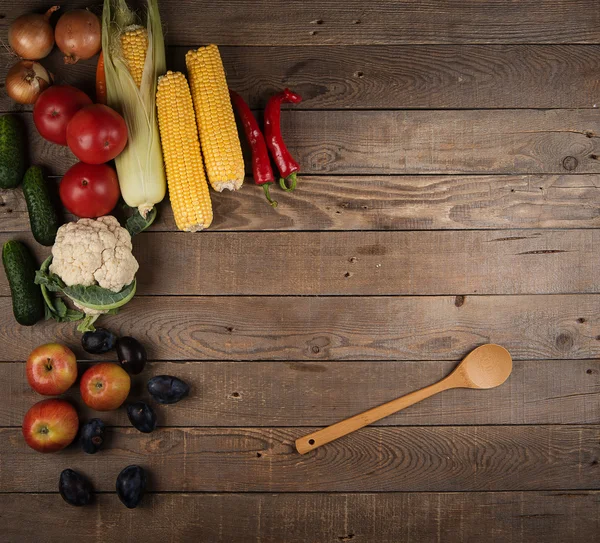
[140,166]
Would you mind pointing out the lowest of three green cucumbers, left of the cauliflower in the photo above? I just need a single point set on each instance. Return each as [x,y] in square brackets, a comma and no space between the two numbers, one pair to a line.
[19,265]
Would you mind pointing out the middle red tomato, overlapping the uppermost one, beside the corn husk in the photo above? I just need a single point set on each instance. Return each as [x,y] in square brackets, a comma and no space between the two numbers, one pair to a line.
[96,134]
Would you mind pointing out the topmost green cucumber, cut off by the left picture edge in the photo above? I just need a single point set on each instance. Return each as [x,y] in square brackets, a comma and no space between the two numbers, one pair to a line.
[12,152]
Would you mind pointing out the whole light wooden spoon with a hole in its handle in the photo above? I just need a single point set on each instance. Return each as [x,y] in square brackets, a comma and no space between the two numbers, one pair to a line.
[487,366]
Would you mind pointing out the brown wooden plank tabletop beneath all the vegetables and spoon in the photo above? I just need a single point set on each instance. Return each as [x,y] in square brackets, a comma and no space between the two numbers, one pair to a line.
[449,198]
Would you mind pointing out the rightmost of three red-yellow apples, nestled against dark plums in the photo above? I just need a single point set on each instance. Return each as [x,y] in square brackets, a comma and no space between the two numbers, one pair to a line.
[105,386]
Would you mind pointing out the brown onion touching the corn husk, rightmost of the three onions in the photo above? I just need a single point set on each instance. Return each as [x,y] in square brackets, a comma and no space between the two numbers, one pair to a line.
[78,35]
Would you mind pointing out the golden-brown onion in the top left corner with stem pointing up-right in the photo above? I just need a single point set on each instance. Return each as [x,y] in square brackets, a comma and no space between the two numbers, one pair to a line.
[31,35]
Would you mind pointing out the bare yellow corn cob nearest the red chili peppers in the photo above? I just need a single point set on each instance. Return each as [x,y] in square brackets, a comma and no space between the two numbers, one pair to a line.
[214,115]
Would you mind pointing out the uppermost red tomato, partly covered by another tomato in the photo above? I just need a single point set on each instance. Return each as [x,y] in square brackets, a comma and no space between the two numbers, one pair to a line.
[53,110]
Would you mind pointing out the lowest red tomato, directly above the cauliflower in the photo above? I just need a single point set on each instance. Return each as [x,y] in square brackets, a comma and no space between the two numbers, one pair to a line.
[89,190]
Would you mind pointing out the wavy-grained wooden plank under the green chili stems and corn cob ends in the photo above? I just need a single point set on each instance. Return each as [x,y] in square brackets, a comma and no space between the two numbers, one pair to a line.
[387,203]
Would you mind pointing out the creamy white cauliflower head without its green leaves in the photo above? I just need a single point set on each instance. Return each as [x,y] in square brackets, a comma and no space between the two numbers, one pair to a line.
[94,251]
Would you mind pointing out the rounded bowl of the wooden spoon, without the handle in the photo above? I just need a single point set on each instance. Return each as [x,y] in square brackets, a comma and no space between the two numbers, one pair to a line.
[485,367]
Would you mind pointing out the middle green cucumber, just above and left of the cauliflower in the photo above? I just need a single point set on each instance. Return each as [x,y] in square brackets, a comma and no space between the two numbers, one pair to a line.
[42,215]
